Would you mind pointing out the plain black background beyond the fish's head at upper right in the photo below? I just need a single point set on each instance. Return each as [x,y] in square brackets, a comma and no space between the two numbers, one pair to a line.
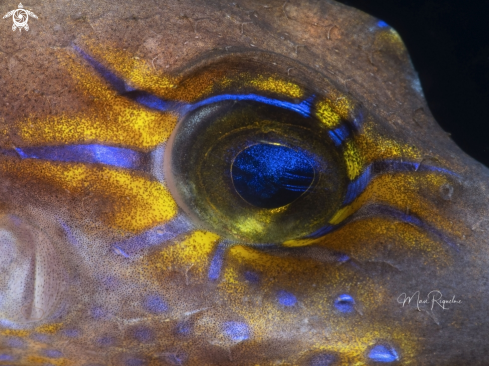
[448,41]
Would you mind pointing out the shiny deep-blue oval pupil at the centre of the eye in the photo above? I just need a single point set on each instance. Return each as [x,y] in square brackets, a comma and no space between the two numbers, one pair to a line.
[271,176]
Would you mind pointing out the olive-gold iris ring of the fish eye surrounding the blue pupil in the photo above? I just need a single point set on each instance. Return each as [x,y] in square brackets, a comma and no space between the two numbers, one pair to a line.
[201,179]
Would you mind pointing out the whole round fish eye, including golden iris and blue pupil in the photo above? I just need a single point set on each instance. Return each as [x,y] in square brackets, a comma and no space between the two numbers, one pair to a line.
[255,173]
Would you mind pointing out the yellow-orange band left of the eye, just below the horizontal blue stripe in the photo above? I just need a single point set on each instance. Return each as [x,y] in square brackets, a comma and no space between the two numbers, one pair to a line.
[136,203]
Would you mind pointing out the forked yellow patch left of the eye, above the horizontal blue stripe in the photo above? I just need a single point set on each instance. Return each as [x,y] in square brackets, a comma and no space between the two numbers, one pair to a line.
[112,119]
